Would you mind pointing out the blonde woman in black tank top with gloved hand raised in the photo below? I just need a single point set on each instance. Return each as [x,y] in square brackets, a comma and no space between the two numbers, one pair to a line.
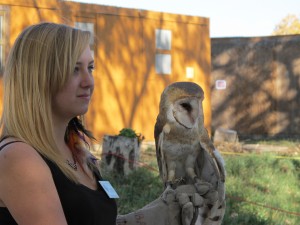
[47,175]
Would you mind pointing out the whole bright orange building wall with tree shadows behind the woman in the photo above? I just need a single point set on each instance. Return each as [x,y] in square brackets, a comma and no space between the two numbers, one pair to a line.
[127,88]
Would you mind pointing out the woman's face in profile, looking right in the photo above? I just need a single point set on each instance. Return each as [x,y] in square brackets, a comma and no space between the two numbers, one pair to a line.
[74,98]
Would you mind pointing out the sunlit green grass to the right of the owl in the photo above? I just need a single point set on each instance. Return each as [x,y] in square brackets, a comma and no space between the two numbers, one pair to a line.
[259,186]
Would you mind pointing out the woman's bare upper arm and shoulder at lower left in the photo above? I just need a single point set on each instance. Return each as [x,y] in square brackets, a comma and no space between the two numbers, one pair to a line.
[27,188]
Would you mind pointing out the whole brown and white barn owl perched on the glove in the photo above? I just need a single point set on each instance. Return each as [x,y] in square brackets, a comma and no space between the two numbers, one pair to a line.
[185,153]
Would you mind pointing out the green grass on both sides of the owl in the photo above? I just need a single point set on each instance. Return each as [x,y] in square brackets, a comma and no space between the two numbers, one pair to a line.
[258,187]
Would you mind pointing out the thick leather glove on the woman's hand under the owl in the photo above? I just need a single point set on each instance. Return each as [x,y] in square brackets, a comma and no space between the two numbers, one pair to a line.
[178,207]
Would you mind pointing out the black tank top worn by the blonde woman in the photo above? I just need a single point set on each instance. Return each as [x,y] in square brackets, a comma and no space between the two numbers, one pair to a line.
[81,205]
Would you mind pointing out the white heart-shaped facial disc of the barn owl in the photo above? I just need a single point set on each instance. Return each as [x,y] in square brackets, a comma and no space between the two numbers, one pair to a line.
[186,111]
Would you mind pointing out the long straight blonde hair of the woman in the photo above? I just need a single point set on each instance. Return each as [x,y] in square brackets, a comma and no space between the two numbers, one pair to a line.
[40,62]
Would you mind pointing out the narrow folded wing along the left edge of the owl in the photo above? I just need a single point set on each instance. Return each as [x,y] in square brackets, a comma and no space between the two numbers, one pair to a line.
[159,136]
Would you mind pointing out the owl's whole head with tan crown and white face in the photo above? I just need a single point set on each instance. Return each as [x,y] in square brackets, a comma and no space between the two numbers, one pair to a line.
[182,103]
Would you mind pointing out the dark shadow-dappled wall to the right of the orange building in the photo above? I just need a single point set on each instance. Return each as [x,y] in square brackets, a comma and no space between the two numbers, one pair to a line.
[262,92]
